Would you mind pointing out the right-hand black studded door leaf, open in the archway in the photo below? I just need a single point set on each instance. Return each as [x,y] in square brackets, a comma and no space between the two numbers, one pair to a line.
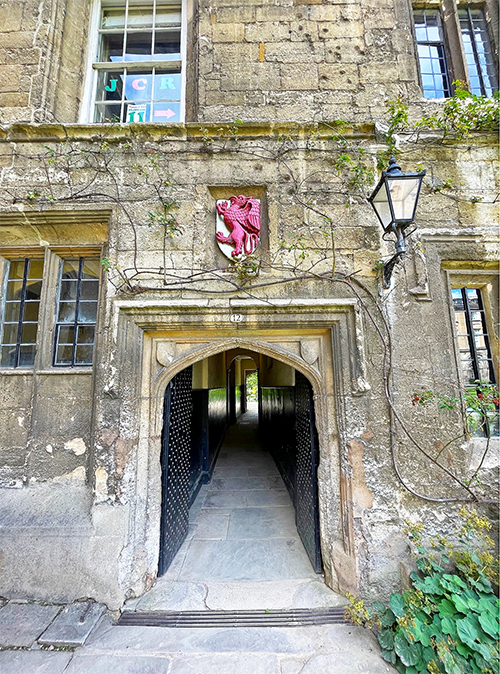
[306,471]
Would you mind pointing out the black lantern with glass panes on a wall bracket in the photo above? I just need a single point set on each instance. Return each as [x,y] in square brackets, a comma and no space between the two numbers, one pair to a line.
[394,200]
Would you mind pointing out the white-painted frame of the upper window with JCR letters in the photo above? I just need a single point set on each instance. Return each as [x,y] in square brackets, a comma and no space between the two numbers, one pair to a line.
[91,76]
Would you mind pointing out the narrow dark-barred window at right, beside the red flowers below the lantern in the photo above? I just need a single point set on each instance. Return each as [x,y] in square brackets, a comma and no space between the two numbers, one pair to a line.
[474,351]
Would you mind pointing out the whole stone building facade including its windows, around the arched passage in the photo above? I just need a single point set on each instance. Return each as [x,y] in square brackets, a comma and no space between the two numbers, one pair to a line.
[112,282]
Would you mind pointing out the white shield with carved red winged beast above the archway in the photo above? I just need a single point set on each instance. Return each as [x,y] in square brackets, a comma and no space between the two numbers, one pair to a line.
[241,217]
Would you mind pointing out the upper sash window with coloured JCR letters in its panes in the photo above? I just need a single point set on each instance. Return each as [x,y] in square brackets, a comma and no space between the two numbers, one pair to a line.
[139,63]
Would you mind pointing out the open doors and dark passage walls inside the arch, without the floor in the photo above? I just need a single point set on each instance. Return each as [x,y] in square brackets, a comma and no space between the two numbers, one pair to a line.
[204,405]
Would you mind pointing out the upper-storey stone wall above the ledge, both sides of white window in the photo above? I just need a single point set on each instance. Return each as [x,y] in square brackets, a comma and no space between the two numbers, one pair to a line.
[285,60]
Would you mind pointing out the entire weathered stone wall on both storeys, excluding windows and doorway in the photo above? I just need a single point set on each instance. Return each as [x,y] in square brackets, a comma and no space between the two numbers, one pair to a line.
[92,438]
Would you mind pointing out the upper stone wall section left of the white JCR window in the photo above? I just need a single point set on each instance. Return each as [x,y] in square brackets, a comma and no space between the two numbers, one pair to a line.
[43,47]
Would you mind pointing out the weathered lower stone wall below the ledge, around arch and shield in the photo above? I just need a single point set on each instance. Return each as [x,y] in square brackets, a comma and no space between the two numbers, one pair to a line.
[454,231]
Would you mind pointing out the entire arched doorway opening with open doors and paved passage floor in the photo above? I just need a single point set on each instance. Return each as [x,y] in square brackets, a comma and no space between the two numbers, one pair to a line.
[216,461]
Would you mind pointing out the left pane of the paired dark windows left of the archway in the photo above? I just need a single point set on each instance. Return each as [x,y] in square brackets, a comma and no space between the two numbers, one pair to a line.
[20,312]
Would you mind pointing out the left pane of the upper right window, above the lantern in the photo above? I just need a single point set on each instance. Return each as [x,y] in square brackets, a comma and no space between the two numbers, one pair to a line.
[431,53]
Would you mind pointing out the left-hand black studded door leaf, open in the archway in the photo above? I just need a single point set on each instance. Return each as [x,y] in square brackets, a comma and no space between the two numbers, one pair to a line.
[176,459]
